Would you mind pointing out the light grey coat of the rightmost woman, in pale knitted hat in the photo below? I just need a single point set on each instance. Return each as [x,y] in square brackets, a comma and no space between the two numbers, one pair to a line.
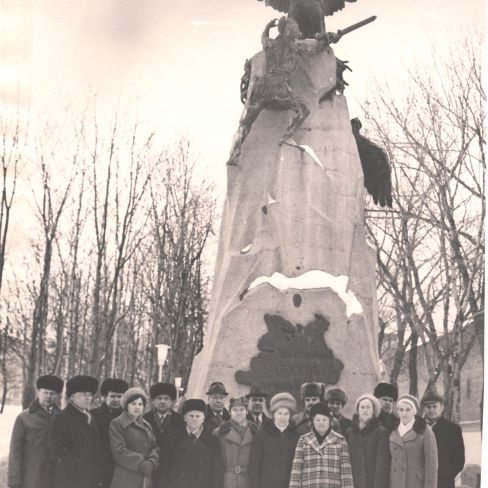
[414,457]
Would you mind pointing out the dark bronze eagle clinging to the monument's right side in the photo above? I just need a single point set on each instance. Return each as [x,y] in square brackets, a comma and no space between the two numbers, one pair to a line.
[376,167]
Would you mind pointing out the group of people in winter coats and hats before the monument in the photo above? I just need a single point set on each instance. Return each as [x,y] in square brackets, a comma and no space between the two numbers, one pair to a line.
[135,440]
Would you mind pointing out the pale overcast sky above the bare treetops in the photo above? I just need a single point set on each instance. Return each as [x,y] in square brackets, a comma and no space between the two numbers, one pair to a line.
[178,63]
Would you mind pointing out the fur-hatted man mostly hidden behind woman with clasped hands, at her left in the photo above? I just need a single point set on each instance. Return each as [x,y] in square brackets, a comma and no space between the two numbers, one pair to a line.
[111,390]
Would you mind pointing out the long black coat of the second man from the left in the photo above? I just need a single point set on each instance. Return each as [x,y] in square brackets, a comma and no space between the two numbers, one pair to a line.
[74,447]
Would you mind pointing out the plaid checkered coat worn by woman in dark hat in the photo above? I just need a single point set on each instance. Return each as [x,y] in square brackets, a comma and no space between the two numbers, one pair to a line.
[317,466]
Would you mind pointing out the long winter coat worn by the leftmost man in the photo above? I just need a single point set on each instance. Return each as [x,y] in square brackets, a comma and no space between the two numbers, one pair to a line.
[28,462]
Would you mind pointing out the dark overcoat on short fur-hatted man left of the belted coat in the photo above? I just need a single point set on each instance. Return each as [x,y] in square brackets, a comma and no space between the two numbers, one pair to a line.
[196,463]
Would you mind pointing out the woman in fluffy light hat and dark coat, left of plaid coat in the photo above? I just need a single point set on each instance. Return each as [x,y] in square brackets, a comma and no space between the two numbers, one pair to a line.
[274,445]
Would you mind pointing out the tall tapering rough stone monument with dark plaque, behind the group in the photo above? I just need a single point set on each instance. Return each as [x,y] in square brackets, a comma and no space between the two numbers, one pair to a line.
[294,294]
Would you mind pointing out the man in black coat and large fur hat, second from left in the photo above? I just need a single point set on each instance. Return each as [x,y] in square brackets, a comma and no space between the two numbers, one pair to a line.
[73,439]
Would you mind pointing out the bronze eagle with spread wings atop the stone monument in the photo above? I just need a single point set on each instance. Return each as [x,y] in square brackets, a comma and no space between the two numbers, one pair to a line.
[309,14]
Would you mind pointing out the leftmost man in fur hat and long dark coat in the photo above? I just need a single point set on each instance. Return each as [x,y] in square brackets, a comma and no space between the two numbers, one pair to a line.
[28,462]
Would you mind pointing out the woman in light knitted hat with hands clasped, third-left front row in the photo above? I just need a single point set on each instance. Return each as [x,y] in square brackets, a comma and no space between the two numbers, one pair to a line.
[133,444]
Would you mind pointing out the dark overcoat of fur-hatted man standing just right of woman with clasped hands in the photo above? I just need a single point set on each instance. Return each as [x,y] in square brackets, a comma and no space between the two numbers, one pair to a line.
[166,437]
